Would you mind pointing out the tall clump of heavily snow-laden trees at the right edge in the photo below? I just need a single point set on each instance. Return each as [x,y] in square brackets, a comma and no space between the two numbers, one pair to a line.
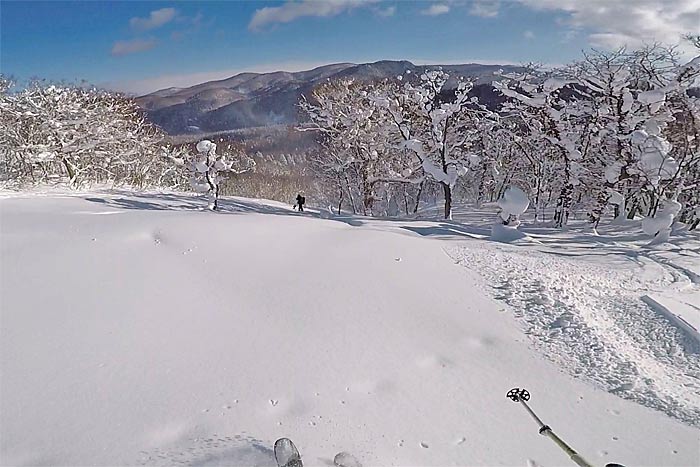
[618,127]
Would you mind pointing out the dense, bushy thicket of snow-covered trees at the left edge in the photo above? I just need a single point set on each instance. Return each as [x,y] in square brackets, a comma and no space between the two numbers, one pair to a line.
[79,135]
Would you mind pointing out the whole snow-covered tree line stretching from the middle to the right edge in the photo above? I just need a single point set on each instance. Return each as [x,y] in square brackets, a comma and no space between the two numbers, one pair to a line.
[614,129]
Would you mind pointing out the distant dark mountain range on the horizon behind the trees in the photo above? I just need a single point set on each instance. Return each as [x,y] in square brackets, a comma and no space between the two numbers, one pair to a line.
[251,100]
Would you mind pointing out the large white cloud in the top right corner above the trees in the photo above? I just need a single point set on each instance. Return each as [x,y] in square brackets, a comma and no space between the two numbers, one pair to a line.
[632,23]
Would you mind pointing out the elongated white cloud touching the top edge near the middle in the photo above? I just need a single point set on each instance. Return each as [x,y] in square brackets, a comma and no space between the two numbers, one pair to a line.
[291,10]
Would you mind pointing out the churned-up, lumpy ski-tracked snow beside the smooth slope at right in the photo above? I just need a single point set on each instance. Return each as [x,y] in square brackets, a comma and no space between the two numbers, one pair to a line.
[590,320]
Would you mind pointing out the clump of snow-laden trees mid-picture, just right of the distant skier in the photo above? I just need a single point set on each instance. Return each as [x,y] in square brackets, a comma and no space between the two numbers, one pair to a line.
[389,138]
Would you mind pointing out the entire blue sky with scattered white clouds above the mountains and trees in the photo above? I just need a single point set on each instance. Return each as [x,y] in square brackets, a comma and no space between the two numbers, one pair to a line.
[144,46]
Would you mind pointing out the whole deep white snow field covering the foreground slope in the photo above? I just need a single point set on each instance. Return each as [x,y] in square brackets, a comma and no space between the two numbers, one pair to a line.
[137,329]
